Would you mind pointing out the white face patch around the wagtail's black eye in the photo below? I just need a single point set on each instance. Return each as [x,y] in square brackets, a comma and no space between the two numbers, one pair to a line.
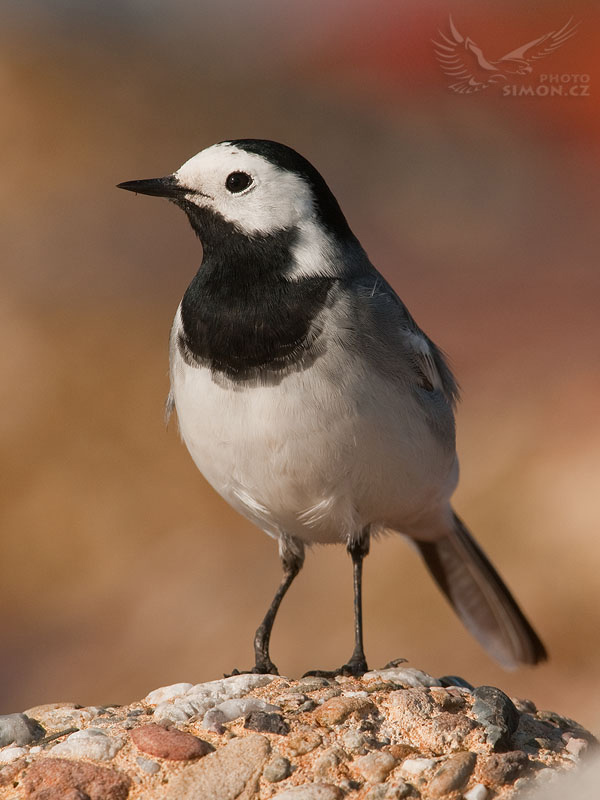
[276,199]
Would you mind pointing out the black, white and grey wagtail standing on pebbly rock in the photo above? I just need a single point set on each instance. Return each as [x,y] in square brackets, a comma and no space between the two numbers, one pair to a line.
[308,396]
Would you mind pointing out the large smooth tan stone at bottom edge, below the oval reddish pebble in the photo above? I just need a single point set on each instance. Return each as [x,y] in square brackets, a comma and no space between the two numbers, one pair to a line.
[230,772]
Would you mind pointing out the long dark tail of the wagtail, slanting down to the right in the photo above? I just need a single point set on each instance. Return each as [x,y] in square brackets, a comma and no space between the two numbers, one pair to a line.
[480,598]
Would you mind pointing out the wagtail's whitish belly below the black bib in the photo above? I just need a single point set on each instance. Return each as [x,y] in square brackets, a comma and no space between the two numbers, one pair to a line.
[319,455]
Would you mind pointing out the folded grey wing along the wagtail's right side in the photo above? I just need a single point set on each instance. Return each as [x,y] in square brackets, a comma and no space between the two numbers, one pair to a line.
[407,348]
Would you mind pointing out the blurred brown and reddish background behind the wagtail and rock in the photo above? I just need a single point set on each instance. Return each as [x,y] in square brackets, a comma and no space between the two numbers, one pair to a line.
[121,569]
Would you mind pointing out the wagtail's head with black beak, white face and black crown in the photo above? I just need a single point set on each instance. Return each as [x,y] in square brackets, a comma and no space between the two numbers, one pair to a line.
[250,187]
